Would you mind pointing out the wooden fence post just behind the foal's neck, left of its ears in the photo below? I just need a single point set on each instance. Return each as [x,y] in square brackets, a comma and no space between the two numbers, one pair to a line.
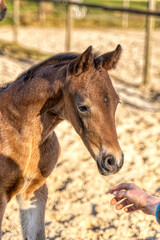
[69,25]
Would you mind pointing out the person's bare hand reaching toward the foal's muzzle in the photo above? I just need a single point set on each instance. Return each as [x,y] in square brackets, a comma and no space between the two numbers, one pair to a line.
[132,198]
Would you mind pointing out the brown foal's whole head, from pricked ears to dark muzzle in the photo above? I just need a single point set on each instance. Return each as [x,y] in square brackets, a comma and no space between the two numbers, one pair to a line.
[90,105]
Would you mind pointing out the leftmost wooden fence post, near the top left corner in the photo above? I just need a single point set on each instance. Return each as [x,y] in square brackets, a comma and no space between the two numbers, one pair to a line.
[15,19]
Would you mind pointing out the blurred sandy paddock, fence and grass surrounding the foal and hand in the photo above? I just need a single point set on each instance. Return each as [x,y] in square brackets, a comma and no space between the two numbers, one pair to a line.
[78,205]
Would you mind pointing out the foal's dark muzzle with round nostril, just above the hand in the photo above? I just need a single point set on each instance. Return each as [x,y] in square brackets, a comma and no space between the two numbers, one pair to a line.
[108,164]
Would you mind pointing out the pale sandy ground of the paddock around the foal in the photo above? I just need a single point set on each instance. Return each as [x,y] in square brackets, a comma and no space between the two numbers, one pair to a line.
[78,203]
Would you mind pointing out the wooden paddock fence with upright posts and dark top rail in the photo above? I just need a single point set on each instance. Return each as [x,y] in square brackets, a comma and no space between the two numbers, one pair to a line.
[150,13]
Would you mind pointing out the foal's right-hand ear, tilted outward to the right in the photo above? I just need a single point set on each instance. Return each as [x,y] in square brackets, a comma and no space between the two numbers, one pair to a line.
[109,60]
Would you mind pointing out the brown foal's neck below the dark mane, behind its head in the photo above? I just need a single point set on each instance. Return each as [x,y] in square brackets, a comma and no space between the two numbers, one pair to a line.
[36,103]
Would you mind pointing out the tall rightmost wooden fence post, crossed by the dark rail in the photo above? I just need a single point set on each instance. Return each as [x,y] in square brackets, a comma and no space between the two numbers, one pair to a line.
[147,54]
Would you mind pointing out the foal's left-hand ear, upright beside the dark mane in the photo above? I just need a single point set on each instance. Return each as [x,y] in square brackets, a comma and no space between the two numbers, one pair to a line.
[82,62]
